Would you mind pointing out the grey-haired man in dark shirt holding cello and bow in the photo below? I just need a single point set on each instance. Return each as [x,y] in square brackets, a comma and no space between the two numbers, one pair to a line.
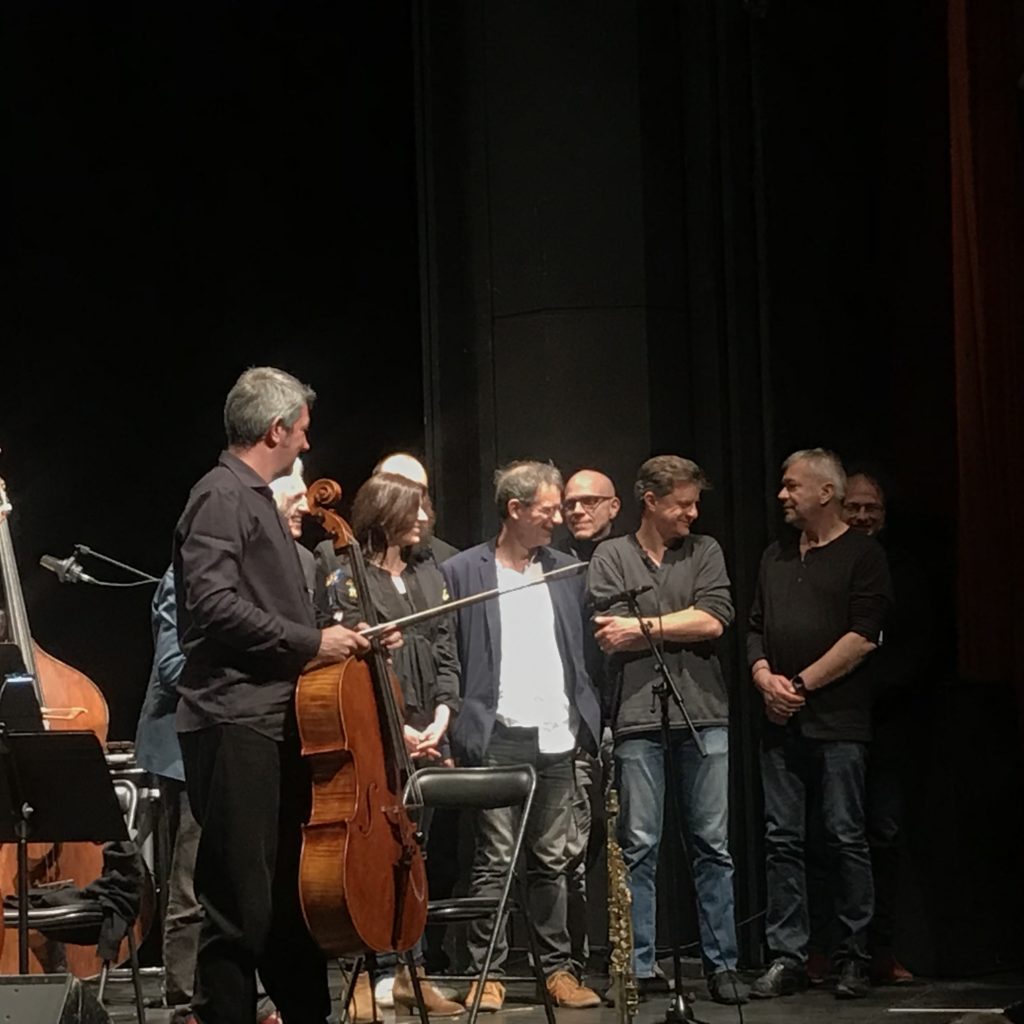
[247,628]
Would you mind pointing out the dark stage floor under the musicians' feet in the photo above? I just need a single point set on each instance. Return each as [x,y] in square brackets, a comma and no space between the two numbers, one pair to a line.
[926,1002]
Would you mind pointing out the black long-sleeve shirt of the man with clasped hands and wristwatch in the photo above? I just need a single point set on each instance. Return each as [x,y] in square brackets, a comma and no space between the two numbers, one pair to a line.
[802,607]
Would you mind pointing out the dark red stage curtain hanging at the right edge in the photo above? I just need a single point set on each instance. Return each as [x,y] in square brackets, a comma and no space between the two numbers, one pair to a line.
[987,61]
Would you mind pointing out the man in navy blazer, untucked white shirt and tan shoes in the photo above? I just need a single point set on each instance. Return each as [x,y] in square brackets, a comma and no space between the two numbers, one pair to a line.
[527,699]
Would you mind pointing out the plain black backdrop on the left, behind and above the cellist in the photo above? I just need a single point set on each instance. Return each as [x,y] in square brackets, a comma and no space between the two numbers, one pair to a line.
[192,190]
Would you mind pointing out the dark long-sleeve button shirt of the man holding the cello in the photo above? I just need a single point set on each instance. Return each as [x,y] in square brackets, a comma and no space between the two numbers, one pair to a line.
[245,617]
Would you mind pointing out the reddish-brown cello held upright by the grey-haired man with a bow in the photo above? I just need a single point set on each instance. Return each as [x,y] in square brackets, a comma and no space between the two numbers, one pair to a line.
[363,881]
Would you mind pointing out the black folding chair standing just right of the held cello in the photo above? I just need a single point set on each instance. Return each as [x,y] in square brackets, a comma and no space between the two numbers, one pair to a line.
[484,789]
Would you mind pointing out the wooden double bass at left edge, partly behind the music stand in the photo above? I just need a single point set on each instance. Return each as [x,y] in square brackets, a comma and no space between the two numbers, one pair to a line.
[68,700]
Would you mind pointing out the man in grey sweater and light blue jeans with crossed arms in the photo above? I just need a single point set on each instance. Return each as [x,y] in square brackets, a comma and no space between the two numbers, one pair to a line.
[687,606]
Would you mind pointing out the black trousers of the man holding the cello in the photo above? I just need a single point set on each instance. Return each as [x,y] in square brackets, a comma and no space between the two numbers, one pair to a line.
[250,796]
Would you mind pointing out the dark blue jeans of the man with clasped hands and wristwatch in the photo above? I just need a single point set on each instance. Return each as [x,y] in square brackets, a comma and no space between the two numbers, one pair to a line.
[826,778]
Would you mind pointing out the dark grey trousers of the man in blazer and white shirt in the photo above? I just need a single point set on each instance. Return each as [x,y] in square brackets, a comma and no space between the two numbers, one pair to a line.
[544,842]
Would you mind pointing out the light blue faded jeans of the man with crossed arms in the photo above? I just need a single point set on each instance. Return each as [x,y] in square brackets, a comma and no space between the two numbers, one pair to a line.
[703,790]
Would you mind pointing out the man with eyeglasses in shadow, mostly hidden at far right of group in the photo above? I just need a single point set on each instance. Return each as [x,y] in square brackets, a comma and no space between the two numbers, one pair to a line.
[899,669]
